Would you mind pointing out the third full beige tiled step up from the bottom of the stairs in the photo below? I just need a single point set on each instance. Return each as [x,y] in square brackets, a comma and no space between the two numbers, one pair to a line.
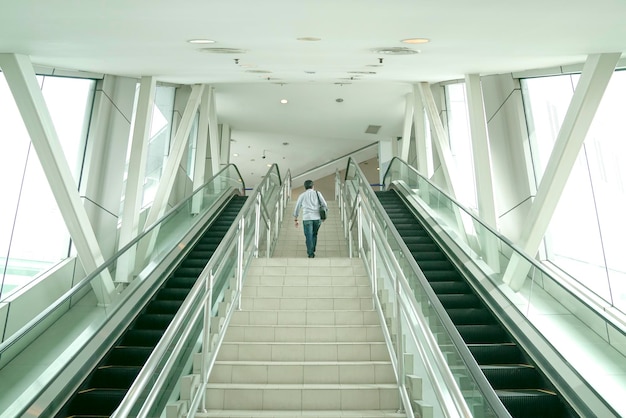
[274,351]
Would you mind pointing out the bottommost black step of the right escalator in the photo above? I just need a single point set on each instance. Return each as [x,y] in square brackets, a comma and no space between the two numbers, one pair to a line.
[531,403]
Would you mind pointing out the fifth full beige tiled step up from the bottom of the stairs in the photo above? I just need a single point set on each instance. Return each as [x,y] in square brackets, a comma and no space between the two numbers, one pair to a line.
[311,317]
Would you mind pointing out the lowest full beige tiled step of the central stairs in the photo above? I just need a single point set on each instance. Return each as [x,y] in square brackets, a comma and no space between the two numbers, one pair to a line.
[301,397]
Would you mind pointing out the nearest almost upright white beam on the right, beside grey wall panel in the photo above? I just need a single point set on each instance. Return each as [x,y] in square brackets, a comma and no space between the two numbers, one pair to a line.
[480,149]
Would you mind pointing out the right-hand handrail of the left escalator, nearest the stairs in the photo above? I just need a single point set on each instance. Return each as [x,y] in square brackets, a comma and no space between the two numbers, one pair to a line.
[160,351]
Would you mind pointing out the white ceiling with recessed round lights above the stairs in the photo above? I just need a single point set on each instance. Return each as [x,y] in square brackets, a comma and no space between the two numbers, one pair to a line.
[149,37]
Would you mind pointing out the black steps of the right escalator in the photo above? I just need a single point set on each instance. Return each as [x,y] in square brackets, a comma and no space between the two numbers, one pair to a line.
[521,387]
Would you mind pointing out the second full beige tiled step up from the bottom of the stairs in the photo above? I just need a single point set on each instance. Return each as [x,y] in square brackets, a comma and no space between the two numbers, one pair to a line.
[298,372]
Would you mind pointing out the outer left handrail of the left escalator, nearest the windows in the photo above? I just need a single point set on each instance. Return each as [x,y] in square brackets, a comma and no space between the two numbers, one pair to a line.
[33,323]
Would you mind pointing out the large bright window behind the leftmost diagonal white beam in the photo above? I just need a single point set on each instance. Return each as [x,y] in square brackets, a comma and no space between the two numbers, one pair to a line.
[33,236]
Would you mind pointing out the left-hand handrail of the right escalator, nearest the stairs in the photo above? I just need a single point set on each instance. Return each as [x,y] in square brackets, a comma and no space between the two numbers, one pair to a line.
[468,359]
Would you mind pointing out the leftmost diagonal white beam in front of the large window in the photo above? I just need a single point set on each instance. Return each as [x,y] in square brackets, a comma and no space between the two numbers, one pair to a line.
[22,80]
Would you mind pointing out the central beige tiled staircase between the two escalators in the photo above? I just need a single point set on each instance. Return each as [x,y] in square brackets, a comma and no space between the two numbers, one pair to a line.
[307,341]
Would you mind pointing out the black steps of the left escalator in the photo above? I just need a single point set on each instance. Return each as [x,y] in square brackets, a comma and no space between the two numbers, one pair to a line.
[103,390]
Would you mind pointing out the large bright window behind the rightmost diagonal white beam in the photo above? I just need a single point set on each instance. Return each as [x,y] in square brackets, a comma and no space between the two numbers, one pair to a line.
[586,235]
